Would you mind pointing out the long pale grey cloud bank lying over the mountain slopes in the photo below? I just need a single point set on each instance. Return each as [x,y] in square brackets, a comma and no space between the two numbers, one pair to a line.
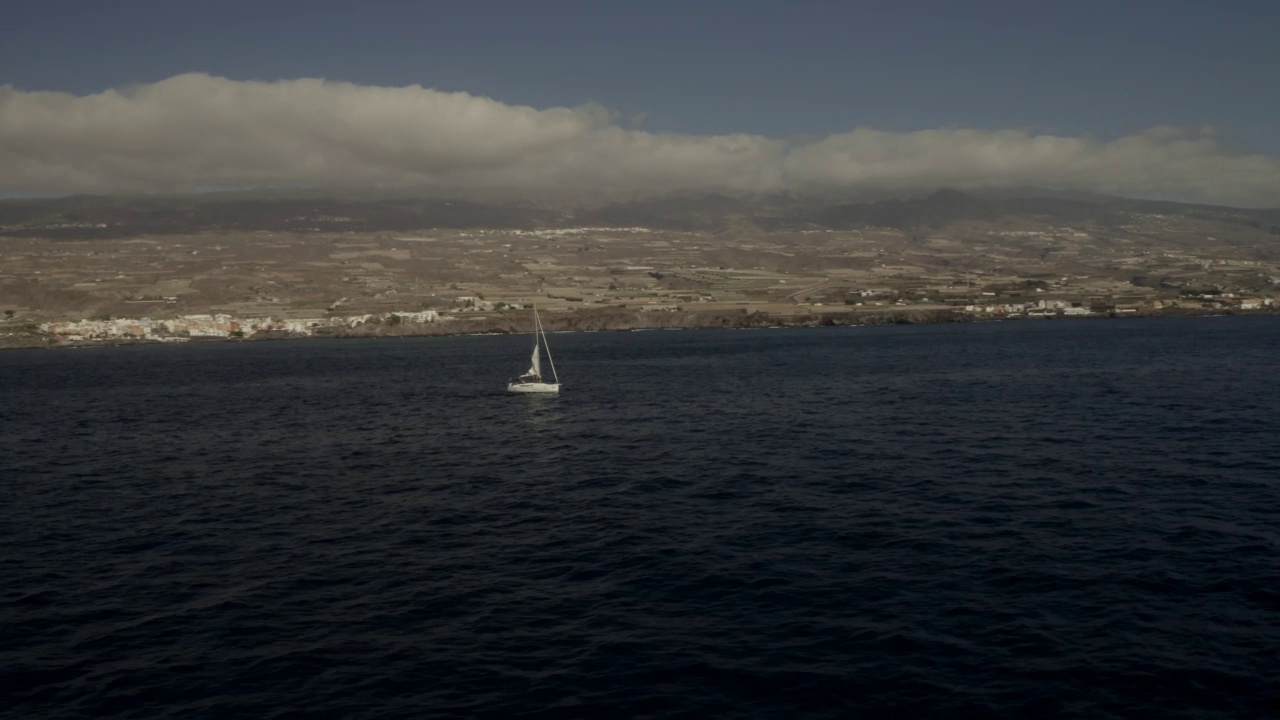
[198,131]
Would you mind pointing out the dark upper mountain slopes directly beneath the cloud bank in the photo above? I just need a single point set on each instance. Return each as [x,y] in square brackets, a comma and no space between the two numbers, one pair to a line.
[86,217]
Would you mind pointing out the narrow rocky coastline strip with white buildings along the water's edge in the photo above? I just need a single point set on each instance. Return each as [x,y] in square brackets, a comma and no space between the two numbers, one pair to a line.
[614,321]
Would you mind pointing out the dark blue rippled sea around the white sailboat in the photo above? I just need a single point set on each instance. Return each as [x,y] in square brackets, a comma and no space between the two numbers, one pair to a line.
[1021,520]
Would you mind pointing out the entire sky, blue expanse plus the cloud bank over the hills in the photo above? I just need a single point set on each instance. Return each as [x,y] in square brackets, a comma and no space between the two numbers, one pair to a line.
[1177,99]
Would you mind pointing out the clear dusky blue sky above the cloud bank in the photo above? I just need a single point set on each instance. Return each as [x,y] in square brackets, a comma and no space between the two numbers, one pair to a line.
[774,69]
